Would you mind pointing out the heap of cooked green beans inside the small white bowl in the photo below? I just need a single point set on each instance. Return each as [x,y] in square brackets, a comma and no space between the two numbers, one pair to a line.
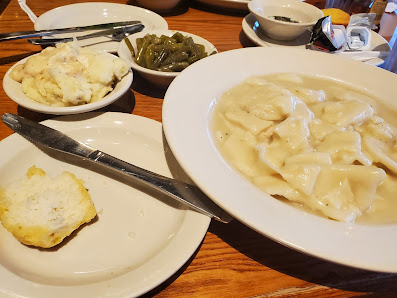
[167,53]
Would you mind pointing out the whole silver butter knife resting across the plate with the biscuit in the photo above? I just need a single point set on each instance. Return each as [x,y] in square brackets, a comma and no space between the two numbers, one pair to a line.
[185,193]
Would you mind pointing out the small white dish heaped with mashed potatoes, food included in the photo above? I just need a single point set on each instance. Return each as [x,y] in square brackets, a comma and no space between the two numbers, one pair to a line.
[67,79]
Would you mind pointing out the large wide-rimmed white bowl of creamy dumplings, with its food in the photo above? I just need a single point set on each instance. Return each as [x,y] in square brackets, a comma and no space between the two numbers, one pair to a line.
[298,145]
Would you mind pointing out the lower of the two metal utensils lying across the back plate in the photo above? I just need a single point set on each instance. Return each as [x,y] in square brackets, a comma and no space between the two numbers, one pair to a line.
[116,35]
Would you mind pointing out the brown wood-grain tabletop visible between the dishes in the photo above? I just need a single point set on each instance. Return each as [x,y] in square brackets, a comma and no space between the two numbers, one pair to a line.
[233,260]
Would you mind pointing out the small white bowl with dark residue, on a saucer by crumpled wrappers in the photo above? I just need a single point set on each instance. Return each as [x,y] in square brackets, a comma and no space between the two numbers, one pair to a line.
[264,10]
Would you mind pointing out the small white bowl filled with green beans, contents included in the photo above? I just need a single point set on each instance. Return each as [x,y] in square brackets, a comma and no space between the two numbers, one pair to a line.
[160,55]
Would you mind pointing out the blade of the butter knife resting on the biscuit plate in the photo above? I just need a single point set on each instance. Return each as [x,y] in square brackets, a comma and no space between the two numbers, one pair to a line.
[183,192]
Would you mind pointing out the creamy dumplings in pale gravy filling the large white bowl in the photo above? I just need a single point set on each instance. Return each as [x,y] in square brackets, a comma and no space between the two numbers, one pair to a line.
[315,142]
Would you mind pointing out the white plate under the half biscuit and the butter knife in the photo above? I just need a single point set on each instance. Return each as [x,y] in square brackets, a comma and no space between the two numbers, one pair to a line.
[140,238]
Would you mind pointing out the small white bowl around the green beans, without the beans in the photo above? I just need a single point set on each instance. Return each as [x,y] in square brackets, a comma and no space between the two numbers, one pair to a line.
[157,77]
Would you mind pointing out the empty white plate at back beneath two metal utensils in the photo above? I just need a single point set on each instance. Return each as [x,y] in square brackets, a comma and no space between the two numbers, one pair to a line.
[90,13]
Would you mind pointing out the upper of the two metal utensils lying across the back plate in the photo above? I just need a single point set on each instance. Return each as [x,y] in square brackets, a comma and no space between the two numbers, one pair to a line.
[30,34]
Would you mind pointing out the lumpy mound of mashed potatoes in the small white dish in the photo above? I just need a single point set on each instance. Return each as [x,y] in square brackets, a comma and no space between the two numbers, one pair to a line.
[67,75]
